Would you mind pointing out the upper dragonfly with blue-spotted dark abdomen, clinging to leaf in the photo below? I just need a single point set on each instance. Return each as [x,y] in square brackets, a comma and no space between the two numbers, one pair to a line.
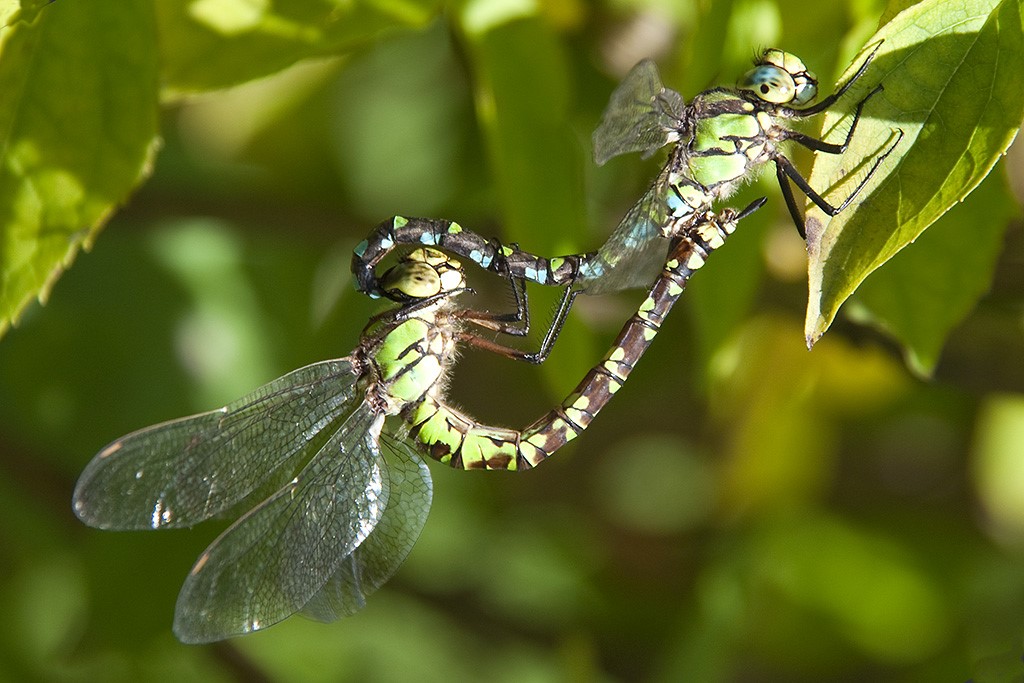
[722,139]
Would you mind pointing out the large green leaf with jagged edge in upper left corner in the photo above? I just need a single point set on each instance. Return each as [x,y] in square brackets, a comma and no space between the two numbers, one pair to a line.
[79,120]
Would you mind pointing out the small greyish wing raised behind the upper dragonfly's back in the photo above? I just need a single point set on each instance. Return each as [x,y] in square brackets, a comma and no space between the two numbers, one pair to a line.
[643,116]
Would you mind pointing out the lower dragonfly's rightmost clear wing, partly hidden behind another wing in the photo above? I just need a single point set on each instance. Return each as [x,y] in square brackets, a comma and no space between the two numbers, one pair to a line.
[375,562]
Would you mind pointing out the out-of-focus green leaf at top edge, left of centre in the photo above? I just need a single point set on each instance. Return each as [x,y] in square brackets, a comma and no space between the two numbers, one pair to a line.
[210,45]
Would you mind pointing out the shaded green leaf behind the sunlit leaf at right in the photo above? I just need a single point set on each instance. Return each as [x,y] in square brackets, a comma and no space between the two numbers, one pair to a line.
[923,293]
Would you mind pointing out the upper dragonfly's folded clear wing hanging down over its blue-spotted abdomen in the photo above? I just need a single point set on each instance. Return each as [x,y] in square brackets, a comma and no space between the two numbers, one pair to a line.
[636,251]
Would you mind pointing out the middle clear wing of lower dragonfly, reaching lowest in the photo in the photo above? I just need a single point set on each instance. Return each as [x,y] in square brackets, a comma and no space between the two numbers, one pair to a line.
[269,565]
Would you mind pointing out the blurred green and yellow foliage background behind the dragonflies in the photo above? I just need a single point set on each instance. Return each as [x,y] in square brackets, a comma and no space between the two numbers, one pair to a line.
[745,510]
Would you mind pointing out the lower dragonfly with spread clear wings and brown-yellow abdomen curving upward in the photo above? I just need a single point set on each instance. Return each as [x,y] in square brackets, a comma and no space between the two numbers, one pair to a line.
[324,467]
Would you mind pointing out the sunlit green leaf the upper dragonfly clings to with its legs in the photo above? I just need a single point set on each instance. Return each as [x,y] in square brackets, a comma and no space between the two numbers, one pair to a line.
[952,75]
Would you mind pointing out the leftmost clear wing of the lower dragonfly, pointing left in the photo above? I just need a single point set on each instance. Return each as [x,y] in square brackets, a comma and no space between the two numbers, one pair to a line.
[182,473]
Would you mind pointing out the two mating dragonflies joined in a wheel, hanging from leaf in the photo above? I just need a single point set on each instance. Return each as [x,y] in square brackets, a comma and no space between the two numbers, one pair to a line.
[327,460]
